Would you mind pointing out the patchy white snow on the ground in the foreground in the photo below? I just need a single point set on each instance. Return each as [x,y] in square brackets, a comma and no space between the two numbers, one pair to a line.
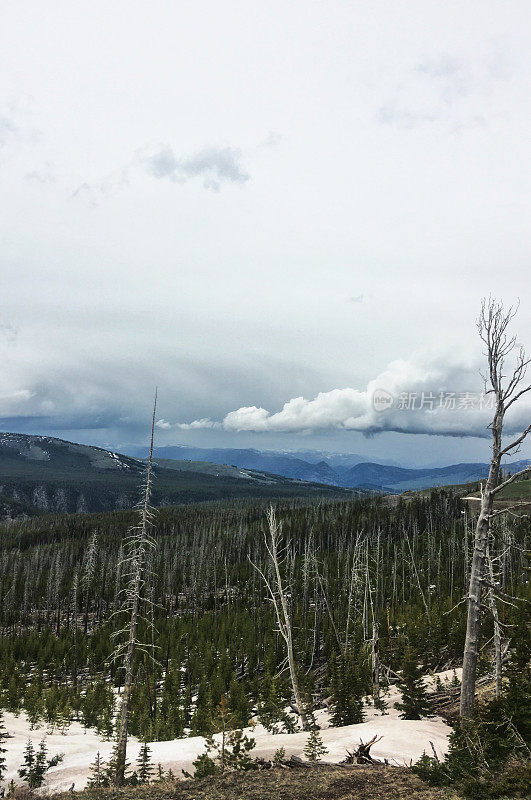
[403,741]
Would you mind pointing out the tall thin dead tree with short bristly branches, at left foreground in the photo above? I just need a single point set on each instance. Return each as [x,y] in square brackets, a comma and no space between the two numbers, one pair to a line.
[137,546]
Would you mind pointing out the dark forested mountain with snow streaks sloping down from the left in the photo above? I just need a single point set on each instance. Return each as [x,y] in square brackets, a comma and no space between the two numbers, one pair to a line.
[41,474]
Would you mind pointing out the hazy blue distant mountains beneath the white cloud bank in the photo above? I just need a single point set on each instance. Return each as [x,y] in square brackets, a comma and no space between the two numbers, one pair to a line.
[332,469]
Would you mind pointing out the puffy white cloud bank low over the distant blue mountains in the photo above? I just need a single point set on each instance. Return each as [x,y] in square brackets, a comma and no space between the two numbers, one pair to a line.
[412,397]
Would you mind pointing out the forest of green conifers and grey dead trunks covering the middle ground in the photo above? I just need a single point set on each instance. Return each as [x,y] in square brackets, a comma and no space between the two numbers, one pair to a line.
[353,568]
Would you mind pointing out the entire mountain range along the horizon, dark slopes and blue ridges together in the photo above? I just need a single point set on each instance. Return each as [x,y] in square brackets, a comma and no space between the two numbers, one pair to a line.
[41,474]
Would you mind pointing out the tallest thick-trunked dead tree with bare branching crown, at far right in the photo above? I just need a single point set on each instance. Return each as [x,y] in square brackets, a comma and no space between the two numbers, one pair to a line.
[493,326]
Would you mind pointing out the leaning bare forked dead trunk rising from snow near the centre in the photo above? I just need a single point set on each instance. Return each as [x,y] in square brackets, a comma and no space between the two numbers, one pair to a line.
[277,594]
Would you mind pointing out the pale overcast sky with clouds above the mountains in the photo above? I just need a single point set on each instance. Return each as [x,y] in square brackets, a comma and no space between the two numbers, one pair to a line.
[269,210]
